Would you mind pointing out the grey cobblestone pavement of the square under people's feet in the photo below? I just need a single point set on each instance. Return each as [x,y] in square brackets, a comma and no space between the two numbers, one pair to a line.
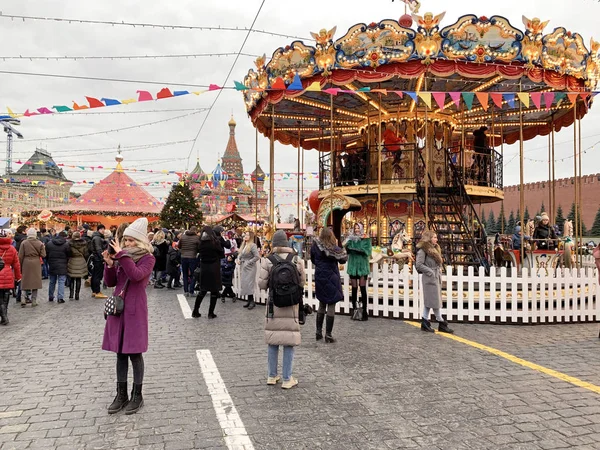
[383,385]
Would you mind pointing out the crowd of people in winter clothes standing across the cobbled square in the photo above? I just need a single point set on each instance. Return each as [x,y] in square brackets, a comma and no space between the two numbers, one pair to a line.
[129,259]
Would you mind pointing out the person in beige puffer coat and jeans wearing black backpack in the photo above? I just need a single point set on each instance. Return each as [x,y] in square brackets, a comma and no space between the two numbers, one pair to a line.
[283,274]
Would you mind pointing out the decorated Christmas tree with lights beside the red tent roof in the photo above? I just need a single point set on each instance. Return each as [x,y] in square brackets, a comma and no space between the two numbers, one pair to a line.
[181,209]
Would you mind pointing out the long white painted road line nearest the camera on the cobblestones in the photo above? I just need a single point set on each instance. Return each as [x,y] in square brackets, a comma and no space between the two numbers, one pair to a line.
[235,435]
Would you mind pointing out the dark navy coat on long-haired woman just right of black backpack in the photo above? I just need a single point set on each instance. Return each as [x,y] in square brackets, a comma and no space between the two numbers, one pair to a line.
[328,284]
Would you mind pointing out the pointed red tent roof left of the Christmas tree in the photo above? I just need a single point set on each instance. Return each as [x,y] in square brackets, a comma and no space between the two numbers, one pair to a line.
[116,193]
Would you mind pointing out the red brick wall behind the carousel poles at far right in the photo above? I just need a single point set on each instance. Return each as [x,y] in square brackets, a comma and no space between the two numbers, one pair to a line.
[536,193]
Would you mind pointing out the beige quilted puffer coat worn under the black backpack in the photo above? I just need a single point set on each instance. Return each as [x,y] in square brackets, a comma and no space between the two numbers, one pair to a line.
[283,328]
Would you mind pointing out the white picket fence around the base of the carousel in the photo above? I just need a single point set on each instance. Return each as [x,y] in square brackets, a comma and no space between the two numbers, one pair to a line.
[519,298]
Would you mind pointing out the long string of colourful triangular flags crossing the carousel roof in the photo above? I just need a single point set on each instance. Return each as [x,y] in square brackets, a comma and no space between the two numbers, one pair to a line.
[427,97]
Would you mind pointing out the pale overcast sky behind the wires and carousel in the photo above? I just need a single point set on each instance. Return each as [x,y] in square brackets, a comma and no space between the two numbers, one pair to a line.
[50,38]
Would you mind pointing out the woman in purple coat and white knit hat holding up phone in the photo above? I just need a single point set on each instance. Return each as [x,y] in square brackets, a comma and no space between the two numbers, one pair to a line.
[128,271]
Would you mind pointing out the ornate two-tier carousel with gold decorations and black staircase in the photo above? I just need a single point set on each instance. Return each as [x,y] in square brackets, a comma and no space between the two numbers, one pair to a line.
[410,118]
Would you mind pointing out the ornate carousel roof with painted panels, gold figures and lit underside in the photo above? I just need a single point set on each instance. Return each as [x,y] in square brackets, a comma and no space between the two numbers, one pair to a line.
[385,68]
